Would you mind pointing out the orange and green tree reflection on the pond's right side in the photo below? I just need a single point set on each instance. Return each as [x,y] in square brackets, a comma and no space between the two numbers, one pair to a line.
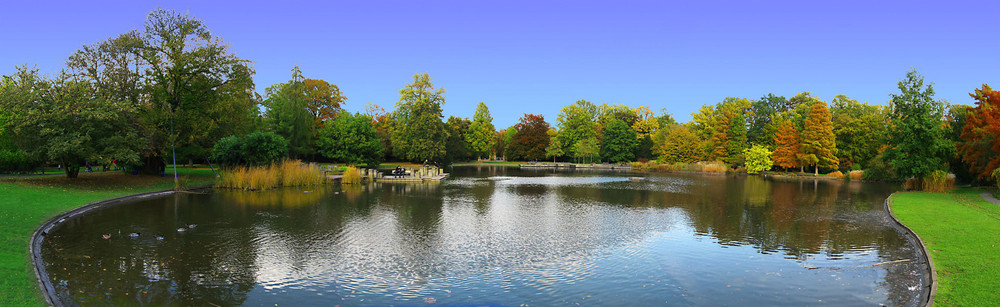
[795,217]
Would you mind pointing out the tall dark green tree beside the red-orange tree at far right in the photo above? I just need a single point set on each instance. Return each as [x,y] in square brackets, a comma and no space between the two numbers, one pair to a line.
[917,139]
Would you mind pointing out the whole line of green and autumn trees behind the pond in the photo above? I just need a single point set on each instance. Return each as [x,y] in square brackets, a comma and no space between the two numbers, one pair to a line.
[172,90]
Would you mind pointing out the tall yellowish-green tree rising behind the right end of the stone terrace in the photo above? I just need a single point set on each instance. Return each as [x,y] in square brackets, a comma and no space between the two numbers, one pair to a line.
[419,133]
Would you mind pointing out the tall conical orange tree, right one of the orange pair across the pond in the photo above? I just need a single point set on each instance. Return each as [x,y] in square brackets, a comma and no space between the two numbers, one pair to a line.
[818,141]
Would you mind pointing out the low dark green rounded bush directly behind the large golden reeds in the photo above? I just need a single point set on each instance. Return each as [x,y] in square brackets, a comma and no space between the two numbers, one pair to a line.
[254,149]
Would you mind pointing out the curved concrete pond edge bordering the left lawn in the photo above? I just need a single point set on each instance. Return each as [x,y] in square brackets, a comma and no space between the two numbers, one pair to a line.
[35,244]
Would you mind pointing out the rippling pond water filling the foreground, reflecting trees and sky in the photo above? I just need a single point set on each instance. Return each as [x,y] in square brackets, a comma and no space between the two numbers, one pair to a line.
[496,236]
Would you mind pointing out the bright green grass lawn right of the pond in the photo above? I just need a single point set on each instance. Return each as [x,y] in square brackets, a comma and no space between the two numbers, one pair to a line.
[962,233]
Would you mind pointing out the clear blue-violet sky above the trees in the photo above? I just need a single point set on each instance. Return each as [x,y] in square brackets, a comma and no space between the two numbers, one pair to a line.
[537,56]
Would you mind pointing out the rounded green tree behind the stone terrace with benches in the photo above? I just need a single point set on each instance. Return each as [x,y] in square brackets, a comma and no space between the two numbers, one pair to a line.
[351,139]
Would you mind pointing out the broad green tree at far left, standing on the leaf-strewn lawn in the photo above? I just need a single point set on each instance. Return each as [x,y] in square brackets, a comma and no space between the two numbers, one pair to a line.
[65,121]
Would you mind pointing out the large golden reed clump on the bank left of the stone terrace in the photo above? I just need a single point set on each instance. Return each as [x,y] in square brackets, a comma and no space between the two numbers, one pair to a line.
[286,173]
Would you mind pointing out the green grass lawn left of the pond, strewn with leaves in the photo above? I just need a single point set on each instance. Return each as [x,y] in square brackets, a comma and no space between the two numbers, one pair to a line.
[26,203]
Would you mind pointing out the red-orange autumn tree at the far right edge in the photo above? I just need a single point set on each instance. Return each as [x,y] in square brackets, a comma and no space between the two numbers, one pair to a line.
[981,135]
